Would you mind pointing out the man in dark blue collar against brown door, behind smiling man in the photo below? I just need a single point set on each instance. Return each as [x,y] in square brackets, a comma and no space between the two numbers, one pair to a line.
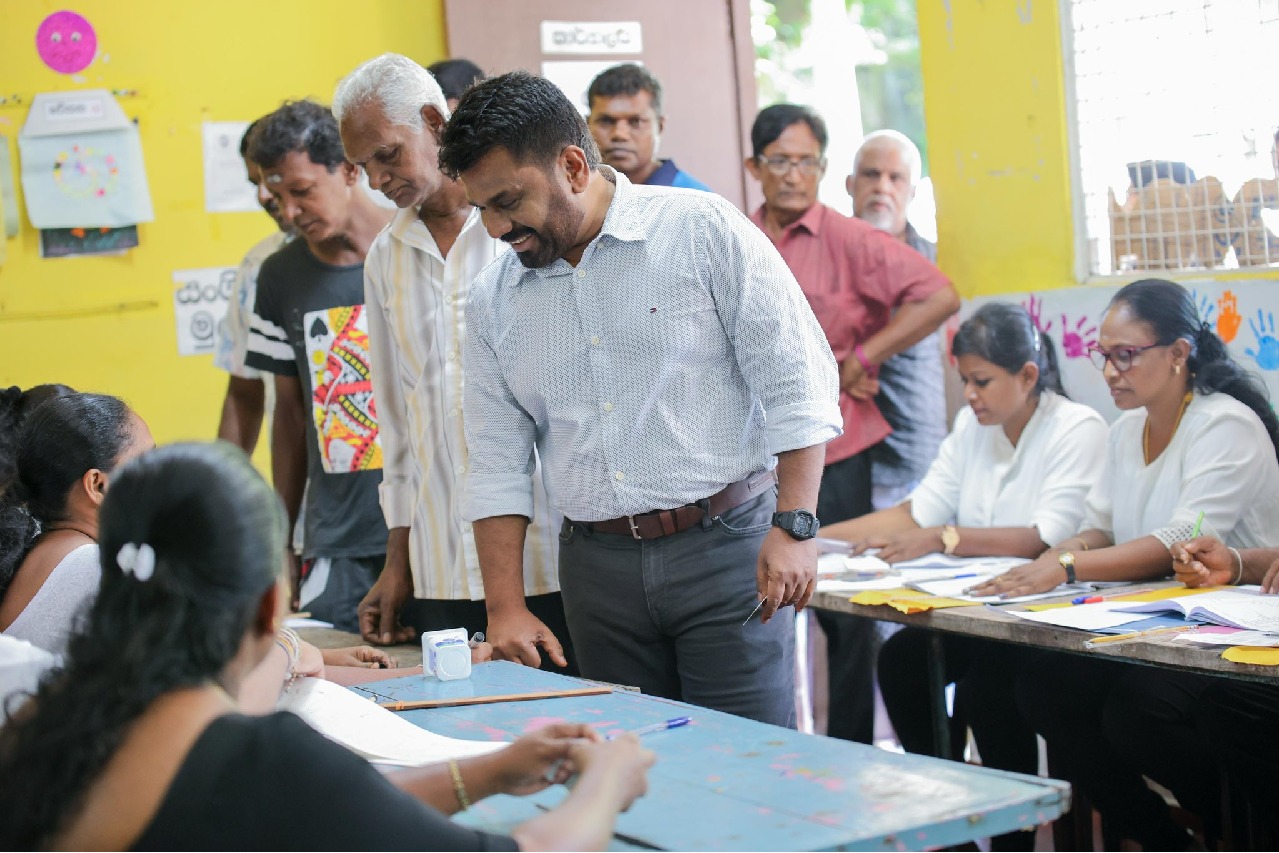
[626,121]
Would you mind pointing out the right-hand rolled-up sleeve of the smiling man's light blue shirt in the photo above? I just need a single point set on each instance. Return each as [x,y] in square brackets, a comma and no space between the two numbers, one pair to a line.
[780,346]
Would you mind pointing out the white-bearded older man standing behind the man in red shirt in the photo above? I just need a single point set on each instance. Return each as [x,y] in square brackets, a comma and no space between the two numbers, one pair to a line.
[886,173]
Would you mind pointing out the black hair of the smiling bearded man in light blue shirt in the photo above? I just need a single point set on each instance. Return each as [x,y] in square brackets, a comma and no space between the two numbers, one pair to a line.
[528,116]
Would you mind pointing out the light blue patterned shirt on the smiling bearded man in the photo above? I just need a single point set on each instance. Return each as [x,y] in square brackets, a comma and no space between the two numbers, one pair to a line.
[680,356]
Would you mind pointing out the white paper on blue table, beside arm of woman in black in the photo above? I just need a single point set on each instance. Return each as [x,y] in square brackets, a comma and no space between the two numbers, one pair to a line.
[374,732]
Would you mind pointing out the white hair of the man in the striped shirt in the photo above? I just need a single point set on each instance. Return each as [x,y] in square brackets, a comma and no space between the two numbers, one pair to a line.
[397,85]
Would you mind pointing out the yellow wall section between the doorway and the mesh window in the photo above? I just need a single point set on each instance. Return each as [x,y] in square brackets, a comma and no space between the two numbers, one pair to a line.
[996,113]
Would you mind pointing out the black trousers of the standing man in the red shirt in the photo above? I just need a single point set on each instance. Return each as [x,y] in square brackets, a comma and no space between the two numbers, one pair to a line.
[852,643]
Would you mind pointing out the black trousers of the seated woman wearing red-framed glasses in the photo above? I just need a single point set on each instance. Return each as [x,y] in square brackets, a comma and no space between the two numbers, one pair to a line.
[1108,724]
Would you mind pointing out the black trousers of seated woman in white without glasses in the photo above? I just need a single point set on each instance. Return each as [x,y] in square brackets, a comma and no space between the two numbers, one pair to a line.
[984,673]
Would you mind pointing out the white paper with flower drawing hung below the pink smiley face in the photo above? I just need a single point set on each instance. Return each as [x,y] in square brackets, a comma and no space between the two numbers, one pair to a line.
[82,163]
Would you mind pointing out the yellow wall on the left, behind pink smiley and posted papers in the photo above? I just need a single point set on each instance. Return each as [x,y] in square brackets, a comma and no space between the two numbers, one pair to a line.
[107,324]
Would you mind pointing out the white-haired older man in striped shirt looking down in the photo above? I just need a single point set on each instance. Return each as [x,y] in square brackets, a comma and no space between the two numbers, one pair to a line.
[418,279]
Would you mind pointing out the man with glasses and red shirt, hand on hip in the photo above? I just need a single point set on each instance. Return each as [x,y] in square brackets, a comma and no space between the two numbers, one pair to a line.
[874,297]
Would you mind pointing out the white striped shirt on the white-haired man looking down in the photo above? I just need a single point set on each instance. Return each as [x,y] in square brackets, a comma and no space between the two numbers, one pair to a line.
[418,302]
